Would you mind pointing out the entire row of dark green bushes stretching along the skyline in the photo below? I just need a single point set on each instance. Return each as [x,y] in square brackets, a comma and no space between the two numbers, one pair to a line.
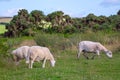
[26,24]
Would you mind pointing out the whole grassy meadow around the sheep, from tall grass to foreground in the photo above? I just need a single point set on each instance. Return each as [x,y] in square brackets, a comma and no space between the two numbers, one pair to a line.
[64,49]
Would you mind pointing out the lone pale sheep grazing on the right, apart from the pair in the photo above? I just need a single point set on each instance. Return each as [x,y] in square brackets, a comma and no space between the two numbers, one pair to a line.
[93,47]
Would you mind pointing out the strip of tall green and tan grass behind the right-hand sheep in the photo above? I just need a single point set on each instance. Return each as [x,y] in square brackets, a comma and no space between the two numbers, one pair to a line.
[63,41]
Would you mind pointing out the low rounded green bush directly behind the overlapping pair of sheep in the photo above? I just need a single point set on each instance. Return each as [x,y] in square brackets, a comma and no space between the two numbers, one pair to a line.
[54,41]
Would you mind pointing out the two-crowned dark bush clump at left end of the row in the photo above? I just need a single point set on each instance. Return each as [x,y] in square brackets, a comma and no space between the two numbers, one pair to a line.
[24,23]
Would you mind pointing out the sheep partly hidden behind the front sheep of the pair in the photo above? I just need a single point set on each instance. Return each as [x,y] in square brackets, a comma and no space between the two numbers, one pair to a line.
[20,53]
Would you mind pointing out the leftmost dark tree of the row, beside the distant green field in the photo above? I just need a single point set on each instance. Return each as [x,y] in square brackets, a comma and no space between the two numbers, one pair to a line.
[18,24]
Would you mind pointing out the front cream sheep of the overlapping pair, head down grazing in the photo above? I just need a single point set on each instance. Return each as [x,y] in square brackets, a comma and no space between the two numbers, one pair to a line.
[37,53]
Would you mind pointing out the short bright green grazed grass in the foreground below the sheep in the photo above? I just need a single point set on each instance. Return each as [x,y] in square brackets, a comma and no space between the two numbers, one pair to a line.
[67,68]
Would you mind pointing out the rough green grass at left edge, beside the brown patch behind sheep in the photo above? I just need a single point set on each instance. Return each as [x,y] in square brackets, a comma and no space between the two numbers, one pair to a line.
[8,44]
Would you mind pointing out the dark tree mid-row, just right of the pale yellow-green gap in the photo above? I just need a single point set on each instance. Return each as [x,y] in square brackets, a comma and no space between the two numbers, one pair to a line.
[59,21]
